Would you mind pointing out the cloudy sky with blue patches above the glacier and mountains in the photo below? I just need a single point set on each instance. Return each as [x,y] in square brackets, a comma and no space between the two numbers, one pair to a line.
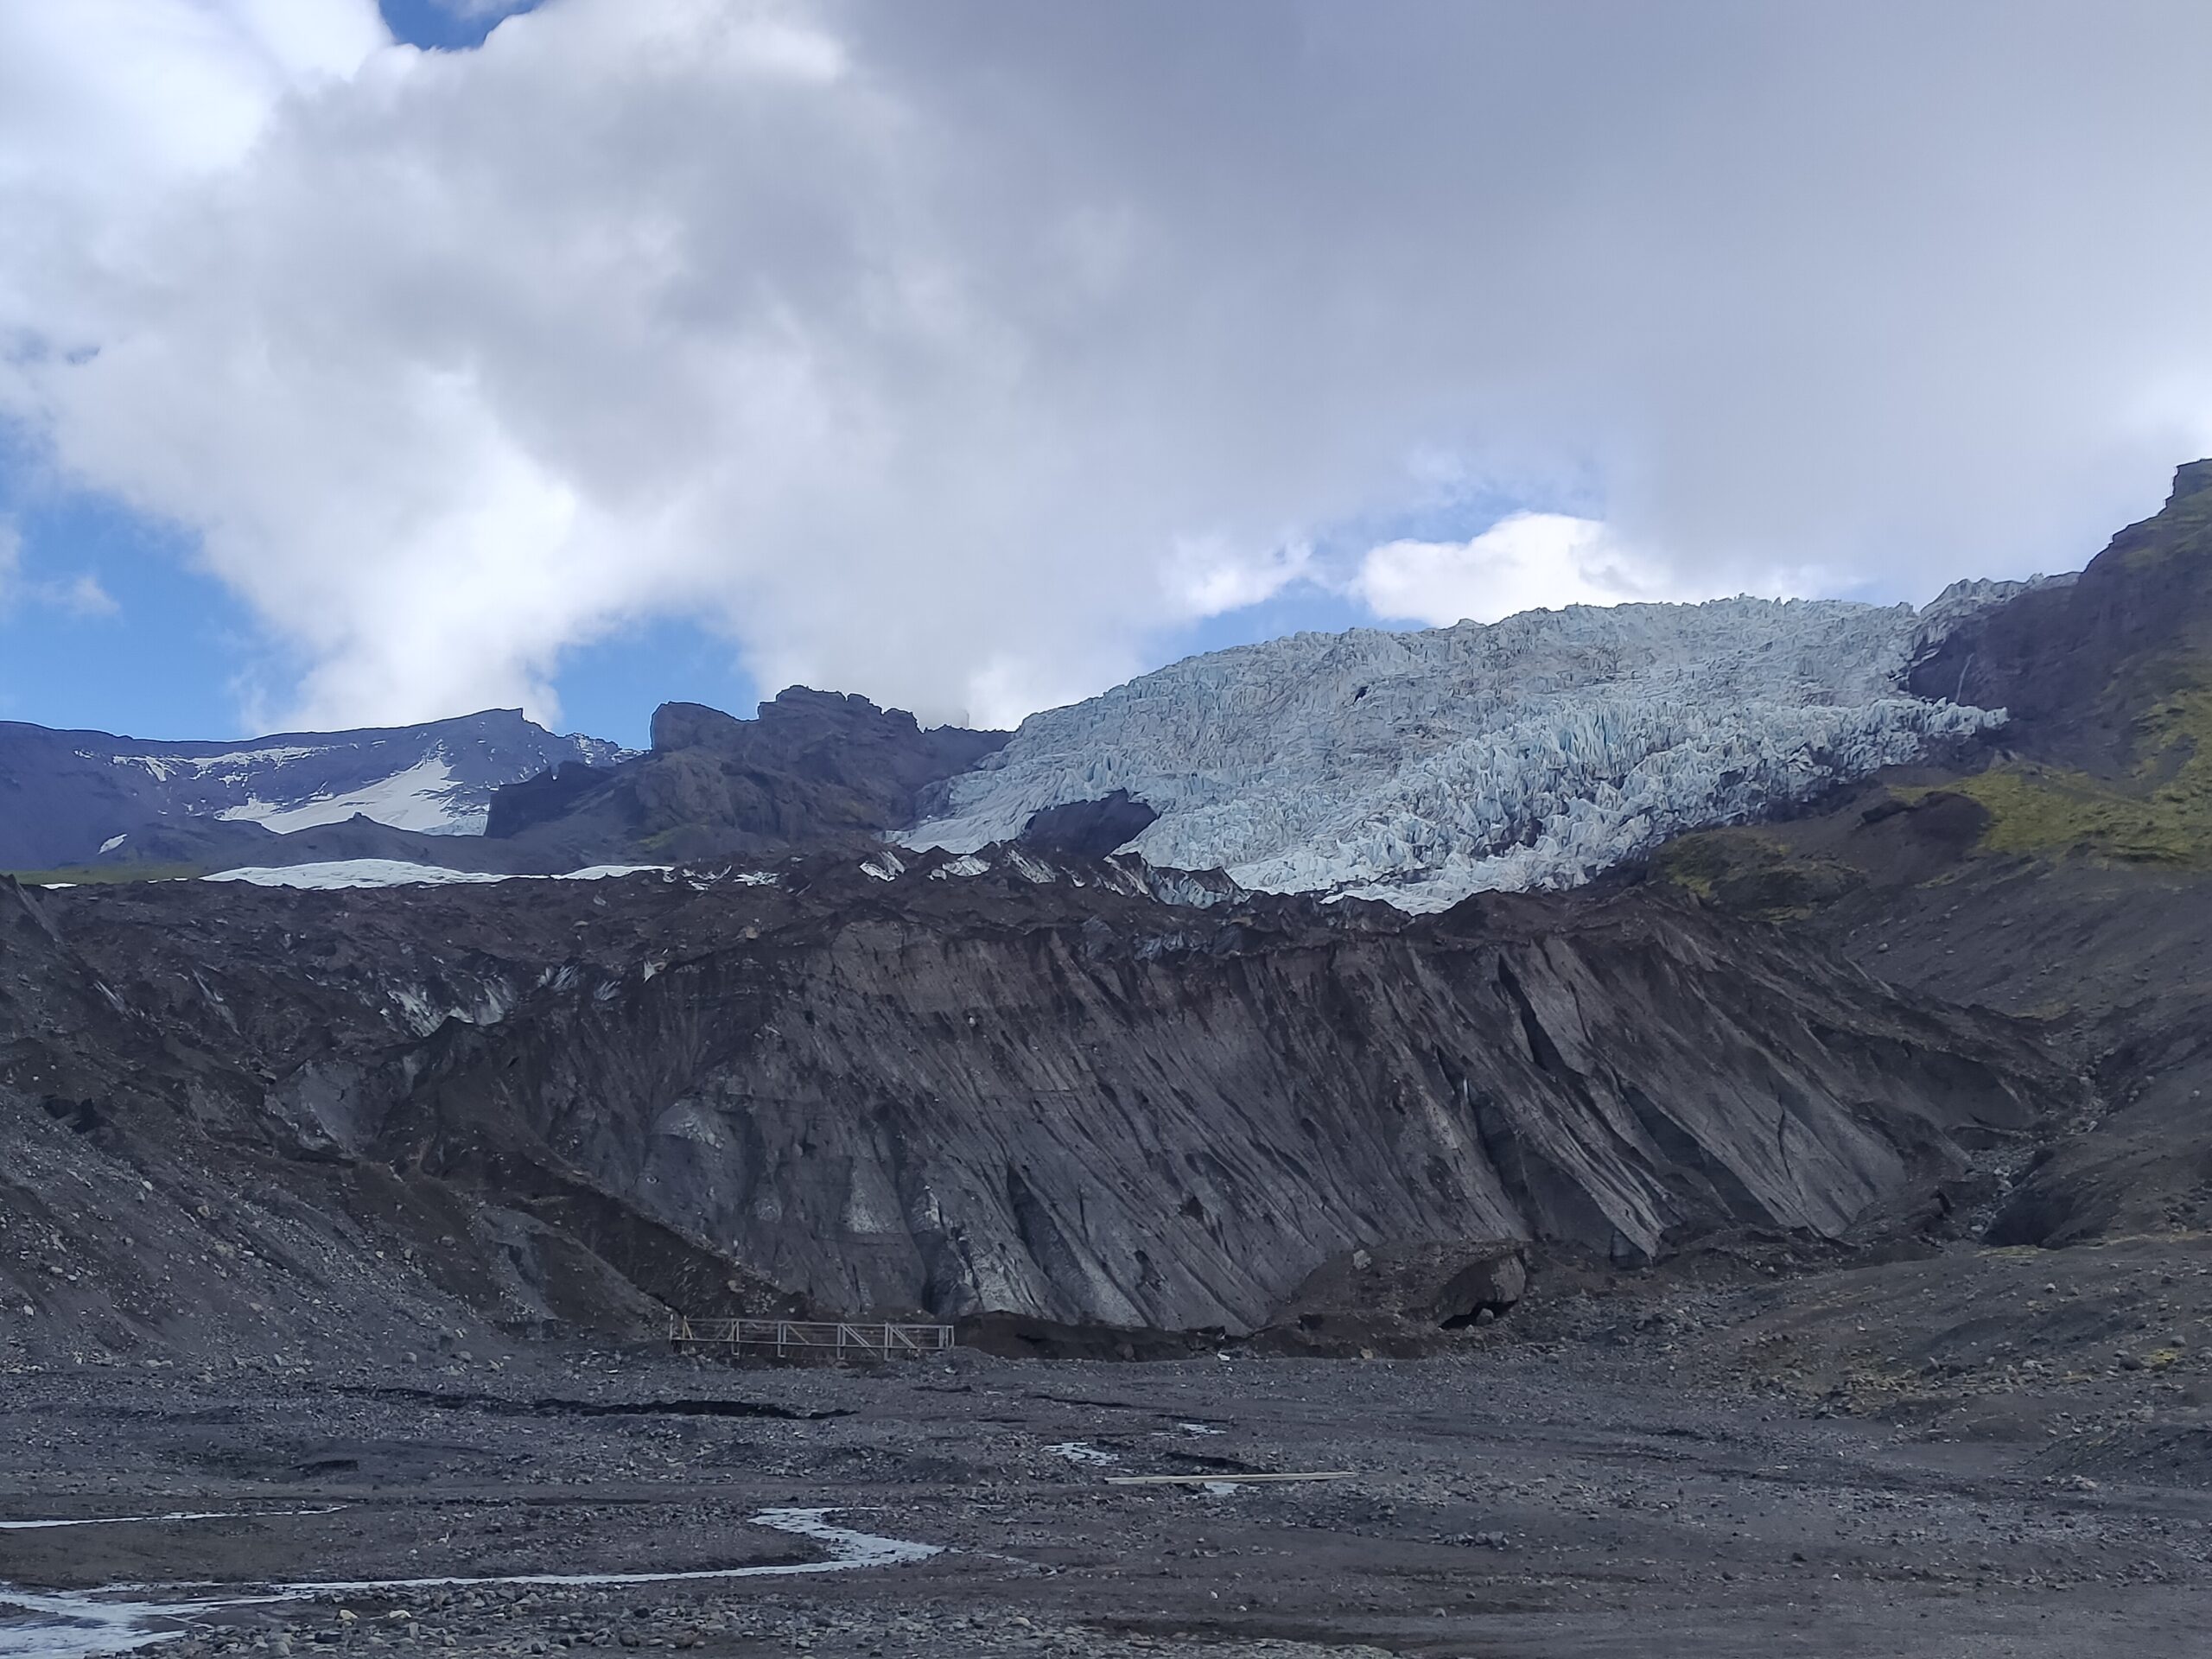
[366,364]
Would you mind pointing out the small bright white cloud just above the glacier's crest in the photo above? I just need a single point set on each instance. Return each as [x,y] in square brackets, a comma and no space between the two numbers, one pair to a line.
[1521,563]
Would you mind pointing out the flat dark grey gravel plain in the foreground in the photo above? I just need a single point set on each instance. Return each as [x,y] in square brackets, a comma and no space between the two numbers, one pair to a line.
[1620,1481]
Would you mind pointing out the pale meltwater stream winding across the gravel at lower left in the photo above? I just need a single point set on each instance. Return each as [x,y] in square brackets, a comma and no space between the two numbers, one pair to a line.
[123,1618]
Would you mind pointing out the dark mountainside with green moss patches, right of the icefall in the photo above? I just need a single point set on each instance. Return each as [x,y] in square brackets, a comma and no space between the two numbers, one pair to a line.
[2060,873]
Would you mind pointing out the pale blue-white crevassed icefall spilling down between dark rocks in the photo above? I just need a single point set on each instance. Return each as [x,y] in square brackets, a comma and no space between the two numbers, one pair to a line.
[1519,755]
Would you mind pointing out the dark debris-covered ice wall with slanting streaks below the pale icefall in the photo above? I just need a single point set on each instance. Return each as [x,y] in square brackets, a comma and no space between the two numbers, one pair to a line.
[999,1083]
